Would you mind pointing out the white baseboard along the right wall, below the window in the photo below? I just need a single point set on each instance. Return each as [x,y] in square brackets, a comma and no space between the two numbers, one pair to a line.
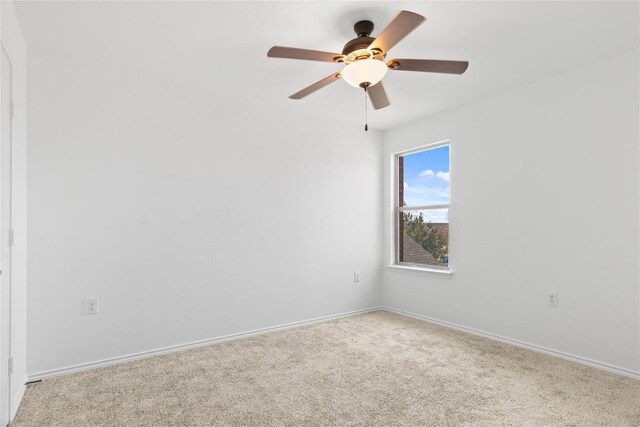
[566,356]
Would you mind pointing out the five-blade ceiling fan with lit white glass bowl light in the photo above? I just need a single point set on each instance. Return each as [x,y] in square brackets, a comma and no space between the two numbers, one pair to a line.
[365,58]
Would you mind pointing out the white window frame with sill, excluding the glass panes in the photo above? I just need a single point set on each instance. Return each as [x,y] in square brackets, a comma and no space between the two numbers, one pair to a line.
[397,211]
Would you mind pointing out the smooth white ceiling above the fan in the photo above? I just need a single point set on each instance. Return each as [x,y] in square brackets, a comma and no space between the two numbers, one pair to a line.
[221,46]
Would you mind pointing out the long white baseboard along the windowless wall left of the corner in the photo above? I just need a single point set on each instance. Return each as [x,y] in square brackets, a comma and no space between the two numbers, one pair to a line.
[181,347]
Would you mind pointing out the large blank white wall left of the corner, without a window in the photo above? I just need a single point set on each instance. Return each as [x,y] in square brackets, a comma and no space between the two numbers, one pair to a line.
[188,215]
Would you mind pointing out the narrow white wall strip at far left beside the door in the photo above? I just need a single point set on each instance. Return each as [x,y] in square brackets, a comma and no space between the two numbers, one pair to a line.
[13,42]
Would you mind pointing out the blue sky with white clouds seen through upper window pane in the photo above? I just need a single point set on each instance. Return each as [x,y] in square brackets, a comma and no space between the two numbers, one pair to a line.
[426,177]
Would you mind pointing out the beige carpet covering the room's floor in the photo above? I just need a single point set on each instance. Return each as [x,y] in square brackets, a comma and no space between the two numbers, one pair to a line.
[374,369]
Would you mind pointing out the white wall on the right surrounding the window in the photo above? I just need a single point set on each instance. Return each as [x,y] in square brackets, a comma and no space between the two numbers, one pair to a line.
[545,195]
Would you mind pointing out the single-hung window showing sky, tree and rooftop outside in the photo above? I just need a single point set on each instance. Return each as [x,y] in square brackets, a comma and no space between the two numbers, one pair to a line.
[422,208]
